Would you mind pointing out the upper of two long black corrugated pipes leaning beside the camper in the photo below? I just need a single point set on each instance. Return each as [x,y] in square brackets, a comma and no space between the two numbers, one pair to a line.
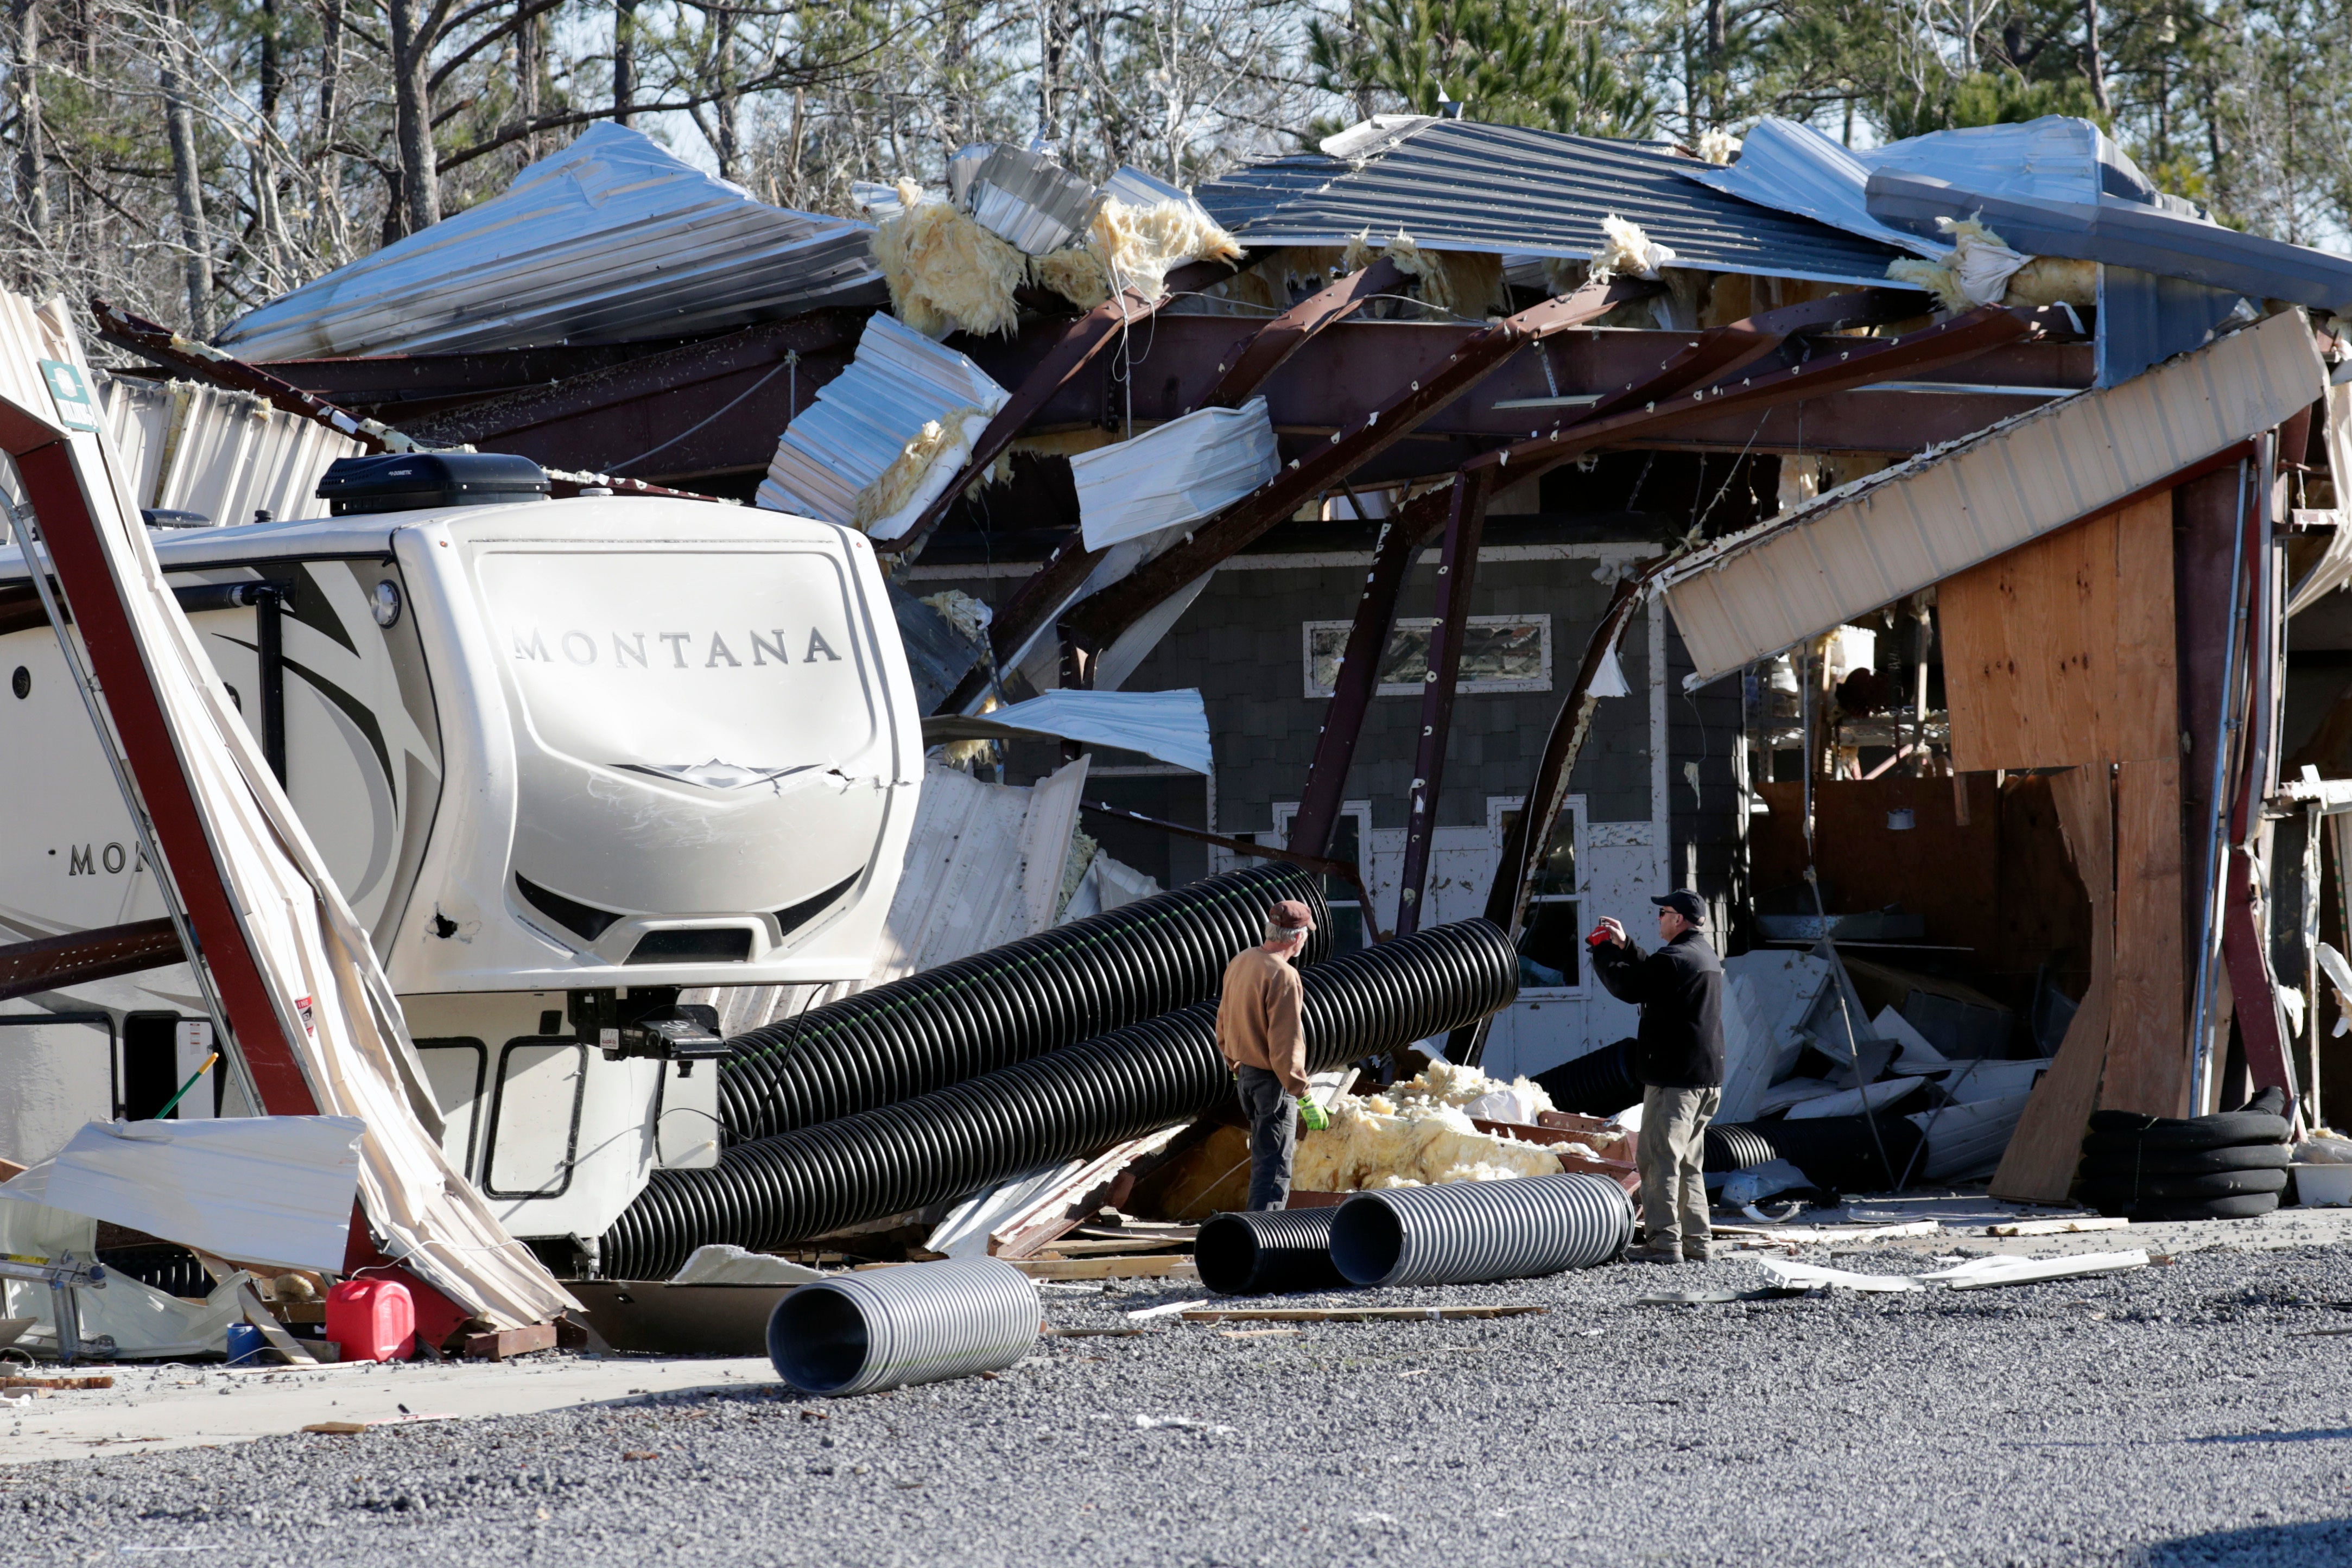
[1005,1005]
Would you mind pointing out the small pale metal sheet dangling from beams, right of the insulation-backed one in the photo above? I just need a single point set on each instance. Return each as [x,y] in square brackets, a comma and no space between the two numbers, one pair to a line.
[1182,471]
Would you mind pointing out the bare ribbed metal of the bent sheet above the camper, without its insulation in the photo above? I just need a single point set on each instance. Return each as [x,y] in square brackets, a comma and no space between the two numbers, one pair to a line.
[862,420]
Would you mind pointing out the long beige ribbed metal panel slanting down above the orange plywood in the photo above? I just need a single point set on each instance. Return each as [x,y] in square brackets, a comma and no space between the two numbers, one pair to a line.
[1897,532]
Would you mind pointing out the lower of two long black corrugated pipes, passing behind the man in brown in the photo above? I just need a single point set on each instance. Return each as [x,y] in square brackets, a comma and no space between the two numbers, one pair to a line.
[1045,1111]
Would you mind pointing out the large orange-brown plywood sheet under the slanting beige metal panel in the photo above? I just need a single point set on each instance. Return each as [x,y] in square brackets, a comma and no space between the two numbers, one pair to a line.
[2062,652]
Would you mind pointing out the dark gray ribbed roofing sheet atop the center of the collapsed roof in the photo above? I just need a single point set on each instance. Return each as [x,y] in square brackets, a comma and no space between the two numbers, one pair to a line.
[1466,187]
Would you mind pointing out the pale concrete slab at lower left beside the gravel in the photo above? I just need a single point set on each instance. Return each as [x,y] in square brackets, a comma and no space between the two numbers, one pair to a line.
[199,1407]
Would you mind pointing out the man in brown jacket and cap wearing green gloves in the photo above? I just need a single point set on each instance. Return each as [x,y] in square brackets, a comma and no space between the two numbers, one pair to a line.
[1262,1036]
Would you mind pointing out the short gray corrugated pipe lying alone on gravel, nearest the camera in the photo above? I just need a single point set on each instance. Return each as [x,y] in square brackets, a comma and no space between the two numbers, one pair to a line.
[918,1322]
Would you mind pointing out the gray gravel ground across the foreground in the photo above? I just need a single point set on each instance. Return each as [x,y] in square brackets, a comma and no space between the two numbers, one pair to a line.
[2186,1414]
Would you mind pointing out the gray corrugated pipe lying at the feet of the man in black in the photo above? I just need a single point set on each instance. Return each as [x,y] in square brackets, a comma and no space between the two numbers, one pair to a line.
[1464,1233]
